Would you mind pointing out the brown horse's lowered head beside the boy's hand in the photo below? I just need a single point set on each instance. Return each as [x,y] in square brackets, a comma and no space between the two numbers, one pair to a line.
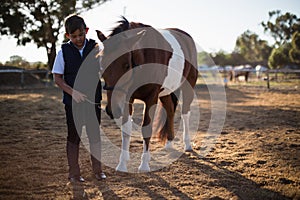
[116,63]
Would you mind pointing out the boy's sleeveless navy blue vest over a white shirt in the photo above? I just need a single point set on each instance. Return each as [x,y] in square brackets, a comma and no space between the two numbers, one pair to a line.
[82,72]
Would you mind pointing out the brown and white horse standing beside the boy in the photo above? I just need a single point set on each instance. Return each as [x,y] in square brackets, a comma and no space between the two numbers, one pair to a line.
[141,62]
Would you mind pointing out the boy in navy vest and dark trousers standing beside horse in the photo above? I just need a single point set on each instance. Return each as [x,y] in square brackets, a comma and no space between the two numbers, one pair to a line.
[75,72]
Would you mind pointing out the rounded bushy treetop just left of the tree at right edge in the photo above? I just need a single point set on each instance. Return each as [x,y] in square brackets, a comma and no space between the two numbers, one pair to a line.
[253,49]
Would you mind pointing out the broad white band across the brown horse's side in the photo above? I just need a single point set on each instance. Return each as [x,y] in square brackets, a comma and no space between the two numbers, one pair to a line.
[175,67]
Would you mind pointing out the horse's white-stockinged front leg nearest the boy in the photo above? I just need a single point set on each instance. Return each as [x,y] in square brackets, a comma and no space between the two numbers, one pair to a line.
[124,156]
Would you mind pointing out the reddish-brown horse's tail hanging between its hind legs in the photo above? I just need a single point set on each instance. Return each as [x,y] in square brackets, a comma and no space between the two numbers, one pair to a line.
[162,125]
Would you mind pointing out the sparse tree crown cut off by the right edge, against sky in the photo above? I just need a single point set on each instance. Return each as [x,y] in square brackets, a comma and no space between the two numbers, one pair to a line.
[282,27]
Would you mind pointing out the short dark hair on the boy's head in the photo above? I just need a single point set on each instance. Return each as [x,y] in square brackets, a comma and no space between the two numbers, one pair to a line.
[74,22]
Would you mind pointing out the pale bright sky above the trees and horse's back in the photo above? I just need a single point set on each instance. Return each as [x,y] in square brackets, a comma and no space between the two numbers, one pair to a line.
[214,24]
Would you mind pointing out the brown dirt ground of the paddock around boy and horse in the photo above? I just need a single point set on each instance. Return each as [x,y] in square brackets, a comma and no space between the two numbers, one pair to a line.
[256,156]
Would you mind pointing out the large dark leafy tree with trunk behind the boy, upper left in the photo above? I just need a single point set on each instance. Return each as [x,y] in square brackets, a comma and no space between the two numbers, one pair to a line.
[39,20]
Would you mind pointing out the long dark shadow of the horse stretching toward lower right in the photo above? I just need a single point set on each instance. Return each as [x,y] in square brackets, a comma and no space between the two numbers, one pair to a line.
[233,182]
